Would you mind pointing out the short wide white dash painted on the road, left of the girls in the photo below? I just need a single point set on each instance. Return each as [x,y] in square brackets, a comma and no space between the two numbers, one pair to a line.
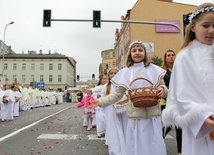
[58,136]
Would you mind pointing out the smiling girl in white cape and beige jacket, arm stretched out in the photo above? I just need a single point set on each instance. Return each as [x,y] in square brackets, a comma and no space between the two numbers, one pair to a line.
[144,129]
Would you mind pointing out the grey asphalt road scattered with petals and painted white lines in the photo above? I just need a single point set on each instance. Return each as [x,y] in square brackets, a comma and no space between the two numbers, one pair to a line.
[55,130]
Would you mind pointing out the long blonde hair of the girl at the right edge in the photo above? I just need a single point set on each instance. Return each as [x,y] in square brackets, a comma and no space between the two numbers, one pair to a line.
[190,35]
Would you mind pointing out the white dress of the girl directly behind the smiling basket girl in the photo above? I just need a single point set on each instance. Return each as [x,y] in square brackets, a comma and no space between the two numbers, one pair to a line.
[116,124]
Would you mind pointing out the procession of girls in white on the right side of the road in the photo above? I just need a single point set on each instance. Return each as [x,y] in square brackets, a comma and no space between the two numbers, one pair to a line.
[178,95]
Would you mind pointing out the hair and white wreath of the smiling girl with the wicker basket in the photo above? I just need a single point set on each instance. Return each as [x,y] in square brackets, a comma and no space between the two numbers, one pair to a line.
[129,60]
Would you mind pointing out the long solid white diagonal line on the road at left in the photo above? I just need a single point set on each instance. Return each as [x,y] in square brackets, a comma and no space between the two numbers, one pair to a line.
[26,127]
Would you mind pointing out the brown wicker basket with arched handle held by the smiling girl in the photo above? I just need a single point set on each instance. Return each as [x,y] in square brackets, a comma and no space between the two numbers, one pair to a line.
[144,96]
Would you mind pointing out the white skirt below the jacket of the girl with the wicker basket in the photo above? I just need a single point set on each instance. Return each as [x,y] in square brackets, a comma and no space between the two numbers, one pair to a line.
[144,137]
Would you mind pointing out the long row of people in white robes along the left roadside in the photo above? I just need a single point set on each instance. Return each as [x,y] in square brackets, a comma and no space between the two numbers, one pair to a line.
[15,98]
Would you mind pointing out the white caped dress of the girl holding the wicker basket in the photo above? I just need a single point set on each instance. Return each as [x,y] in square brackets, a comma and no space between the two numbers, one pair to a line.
[143,136]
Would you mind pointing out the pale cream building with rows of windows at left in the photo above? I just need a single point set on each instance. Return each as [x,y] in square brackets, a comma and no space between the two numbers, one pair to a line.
[55,70]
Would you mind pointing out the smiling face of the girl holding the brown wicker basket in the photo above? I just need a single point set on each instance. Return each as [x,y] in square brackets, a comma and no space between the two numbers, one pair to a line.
[138,53]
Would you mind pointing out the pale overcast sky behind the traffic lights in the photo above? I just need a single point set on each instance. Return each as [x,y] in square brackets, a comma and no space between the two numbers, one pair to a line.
[75,39]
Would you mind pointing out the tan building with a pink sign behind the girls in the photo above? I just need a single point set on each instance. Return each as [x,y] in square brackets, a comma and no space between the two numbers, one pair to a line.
[157,38]
